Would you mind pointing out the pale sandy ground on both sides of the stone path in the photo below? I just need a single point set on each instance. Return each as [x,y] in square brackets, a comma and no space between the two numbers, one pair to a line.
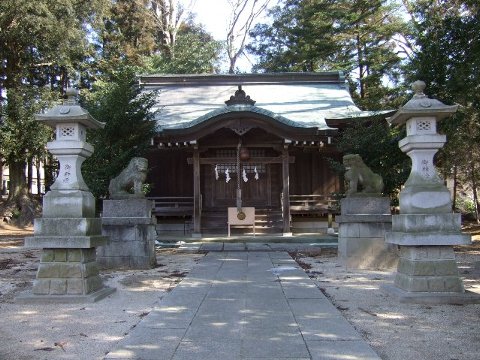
[396,331]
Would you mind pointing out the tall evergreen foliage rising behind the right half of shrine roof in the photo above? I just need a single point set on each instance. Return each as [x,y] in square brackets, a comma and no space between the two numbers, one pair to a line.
[353,36]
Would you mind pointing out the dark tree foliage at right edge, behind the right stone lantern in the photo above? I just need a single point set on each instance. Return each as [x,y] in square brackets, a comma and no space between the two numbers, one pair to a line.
[447,58]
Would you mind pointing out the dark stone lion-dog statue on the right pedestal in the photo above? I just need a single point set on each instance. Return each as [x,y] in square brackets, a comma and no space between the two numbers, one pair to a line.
[361,179]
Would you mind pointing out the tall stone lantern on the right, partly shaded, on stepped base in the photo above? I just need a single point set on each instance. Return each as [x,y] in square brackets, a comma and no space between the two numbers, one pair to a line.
[426,228]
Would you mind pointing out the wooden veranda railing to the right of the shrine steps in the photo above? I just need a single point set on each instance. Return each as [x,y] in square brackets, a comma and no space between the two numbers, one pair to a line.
[313,205]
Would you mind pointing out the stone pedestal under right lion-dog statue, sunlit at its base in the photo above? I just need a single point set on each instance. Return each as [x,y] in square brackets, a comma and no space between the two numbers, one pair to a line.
[362,226]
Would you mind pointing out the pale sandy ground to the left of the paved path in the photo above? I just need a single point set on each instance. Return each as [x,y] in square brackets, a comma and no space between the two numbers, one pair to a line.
[79,331]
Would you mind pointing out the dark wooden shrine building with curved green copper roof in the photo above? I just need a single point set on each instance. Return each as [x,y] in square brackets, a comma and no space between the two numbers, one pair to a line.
[250,140]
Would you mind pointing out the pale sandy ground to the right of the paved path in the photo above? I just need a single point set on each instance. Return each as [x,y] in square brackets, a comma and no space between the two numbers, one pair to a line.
[401,331]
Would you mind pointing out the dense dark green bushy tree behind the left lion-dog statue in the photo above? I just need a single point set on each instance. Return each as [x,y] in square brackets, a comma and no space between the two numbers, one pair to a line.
[129,127]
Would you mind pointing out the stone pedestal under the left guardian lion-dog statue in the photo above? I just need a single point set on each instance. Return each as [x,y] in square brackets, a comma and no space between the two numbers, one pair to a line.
[131,228]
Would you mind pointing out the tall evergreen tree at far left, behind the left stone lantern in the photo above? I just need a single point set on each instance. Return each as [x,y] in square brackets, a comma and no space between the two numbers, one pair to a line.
[41,42]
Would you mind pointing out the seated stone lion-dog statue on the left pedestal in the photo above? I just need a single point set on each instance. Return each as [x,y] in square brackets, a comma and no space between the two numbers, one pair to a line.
[131,178]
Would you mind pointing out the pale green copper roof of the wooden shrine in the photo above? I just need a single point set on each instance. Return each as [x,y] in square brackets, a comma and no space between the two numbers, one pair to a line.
[296,99]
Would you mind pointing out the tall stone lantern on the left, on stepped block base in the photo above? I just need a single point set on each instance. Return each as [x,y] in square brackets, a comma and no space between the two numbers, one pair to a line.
[68,231]
